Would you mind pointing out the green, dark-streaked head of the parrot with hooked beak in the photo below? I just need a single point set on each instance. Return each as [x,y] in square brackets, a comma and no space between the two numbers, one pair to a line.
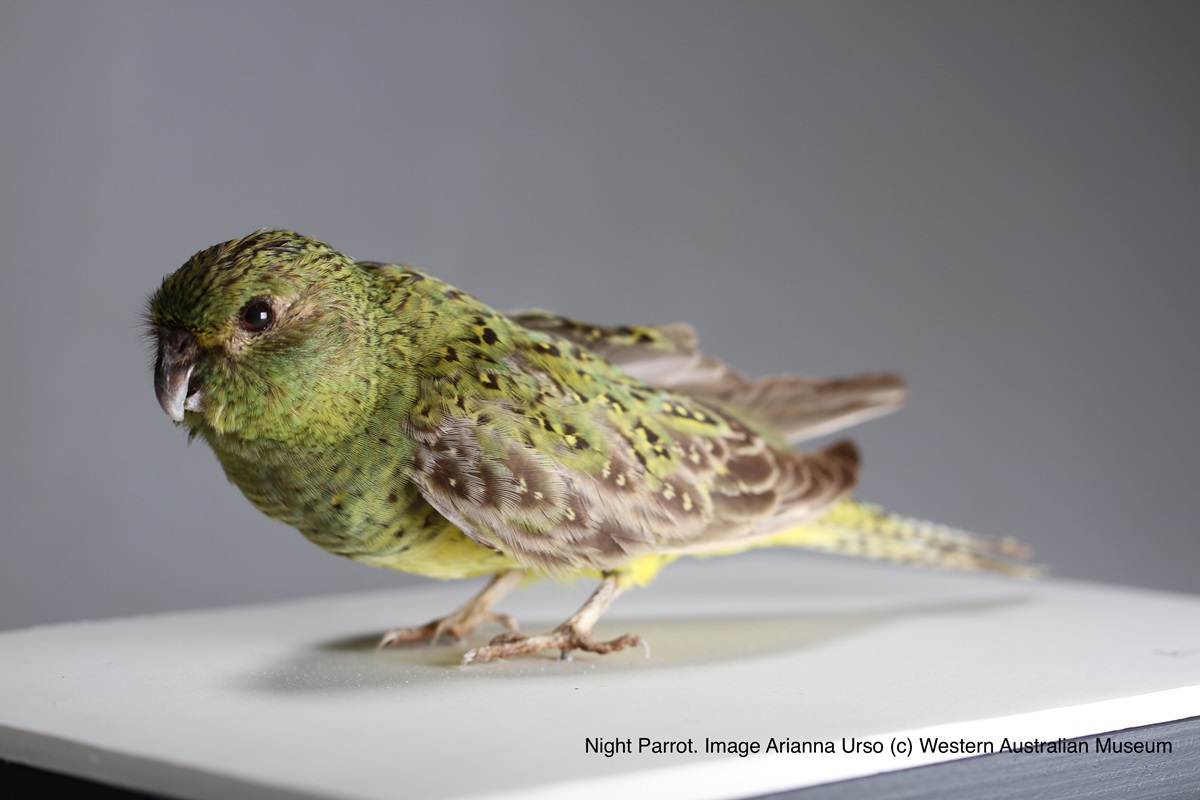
[265,338]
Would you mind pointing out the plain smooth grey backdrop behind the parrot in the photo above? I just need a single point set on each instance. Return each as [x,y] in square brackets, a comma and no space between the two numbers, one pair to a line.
[1001,201]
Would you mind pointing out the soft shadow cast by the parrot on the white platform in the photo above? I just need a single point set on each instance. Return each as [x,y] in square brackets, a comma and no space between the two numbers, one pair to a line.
[353,663]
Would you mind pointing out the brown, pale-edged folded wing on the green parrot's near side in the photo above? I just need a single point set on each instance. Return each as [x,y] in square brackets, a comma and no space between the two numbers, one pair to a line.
[562,516]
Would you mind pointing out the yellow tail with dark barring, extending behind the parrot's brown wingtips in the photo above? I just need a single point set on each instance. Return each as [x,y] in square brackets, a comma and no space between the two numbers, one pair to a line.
[865,531]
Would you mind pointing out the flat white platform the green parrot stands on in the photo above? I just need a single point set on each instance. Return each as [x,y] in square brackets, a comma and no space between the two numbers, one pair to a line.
[291,701]
